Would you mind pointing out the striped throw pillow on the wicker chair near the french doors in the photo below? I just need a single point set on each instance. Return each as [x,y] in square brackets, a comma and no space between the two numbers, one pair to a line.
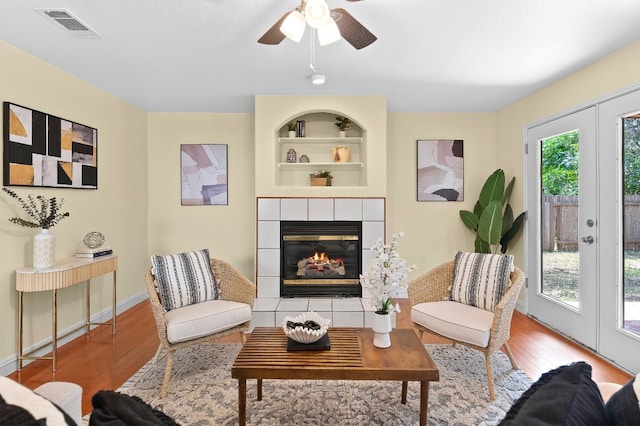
[481,279]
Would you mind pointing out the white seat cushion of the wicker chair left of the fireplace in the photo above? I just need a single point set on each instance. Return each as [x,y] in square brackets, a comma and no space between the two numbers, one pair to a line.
[202,319]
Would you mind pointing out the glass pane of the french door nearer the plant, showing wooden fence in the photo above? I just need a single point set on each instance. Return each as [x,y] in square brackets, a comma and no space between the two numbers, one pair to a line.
[560,262]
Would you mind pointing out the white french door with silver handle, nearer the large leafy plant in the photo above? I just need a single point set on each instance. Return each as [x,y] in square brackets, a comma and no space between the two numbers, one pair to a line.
[563,225]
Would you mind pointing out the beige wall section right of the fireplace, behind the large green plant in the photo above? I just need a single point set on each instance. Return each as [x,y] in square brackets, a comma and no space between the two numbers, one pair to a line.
[433,230]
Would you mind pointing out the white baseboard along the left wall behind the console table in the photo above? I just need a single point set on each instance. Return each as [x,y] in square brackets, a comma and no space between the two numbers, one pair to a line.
[10,364]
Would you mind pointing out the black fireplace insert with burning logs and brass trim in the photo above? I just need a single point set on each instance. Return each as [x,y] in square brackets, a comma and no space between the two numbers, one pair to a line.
[320,258]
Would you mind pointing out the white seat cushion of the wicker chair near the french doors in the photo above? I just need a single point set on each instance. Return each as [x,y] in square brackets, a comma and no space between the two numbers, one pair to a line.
[455,320]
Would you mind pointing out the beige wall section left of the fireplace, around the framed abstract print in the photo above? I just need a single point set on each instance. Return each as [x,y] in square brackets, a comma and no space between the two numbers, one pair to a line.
[227,231]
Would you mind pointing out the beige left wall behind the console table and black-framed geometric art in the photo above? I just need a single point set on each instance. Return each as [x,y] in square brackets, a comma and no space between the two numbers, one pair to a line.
[118,208]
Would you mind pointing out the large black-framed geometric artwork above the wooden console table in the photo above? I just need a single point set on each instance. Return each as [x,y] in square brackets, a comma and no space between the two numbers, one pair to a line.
[41,149]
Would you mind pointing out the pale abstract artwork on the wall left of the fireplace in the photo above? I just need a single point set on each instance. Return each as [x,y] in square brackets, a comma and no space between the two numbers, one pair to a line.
[204,174]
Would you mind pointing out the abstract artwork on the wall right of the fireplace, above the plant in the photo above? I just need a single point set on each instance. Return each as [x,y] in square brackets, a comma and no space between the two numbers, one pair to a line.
[440,170]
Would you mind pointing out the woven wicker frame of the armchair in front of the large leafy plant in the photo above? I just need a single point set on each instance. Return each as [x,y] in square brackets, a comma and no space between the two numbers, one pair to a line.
[435,286]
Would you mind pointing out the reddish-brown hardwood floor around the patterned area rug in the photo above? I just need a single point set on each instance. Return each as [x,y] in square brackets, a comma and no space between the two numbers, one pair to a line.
[104,361]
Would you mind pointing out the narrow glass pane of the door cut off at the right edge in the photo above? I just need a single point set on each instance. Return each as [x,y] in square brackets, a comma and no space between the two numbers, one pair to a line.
[631,223]
